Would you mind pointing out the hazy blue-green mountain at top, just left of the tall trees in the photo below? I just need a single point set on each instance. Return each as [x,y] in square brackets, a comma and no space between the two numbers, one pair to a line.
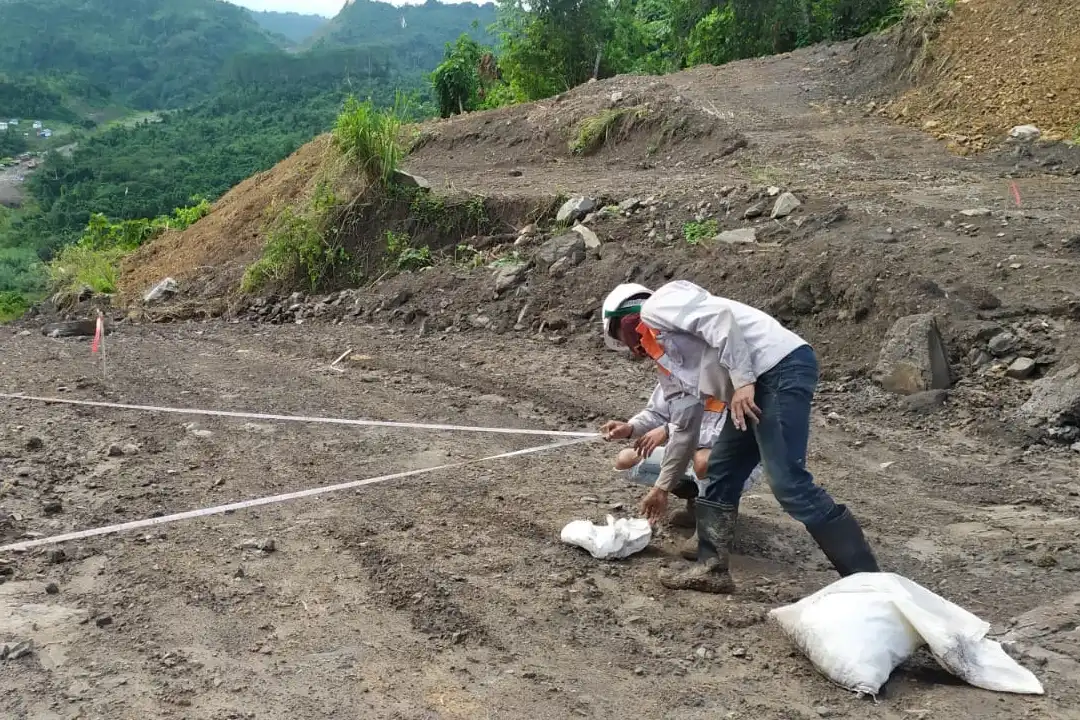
[417,34]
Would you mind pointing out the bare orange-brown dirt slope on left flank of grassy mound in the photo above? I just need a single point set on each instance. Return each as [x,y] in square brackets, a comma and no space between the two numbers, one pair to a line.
[214,252]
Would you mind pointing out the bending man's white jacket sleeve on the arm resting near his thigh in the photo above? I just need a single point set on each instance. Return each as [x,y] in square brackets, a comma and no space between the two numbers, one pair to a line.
[686,308]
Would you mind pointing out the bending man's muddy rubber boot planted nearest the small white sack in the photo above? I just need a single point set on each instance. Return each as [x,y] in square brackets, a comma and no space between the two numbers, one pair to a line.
[717,529]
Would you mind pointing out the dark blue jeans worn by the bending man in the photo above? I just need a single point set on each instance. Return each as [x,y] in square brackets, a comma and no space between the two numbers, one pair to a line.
[778,441]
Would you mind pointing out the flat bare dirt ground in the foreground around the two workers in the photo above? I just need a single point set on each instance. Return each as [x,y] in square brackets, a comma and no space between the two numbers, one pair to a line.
[450,595]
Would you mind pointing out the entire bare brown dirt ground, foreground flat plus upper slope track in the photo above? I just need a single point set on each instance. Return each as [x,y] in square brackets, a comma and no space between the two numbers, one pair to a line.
[450,595]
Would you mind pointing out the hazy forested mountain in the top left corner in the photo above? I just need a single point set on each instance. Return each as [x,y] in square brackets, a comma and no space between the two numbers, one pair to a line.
[148,55]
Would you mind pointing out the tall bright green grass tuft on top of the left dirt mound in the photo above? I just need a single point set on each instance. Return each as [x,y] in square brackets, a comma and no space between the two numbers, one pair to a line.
[369,139]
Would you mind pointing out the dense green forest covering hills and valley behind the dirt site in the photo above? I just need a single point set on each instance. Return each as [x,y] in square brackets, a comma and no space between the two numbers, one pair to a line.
[250,103]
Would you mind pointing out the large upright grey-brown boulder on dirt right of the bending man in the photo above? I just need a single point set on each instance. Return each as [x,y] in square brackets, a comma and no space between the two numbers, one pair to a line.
[913,358]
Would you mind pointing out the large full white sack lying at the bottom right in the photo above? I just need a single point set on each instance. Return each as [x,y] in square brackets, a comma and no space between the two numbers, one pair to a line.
[857,632]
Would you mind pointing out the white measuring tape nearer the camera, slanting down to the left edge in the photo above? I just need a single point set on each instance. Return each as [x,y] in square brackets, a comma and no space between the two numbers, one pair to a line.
[136,525]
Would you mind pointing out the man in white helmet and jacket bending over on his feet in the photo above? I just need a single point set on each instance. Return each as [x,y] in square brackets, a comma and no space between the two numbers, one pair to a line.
[717,349]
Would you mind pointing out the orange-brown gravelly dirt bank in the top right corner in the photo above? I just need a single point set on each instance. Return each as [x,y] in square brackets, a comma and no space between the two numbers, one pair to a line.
[995,65]
